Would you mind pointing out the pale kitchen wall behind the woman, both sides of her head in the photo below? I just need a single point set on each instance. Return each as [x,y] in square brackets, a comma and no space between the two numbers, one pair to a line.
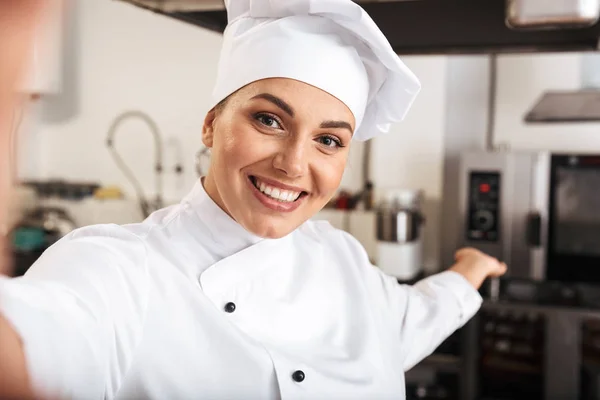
[119,57]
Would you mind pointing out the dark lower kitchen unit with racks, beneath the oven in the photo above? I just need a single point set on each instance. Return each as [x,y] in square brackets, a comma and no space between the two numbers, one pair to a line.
[535,350]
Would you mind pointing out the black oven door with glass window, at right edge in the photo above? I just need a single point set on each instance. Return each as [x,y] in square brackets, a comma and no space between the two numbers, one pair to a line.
[573,253]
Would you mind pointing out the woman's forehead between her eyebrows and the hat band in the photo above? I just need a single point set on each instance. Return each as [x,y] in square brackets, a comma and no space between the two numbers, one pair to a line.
[301,96]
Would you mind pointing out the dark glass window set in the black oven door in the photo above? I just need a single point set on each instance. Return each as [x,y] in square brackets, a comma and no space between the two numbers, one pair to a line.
[577,218]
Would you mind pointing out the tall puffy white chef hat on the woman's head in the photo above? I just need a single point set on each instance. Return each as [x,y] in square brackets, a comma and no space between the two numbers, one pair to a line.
[331,44]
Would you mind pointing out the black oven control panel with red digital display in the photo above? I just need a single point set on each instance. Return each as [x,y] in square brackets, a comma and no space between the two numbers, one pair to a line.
[483,217]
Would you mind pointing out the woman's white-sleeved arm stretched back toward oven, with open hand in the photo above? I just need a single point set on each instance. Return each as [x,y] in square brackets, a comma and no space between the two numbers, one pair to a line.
[423,315]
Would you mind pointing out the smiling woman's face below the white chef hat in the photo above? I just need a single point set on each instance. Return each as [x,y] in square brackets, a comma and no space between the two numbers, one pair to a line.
[279,148]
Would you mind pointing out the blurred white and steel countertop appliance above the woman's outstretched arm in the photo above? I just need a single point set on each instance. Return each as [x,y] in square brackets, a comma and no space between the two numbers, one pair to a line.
[399,240]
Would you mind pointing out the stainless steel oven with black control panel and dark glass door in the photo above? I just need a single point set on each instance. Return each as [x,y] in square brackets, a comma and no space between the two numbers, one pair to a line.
[536,211]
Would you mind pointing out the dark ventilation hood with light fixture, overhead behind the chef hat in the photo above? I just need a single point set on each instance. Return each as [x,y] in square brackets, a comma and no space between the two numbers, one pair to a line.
[446,26]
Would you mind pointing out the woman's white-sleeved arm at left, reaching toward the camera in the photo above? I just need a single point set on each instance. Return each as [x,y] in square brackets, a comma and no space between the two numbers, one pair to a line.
[79,313]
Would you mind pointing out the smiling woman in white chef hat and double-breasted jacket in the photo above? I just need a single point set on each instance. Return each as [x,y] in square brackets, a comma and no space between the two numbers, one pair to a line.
[233,293]
